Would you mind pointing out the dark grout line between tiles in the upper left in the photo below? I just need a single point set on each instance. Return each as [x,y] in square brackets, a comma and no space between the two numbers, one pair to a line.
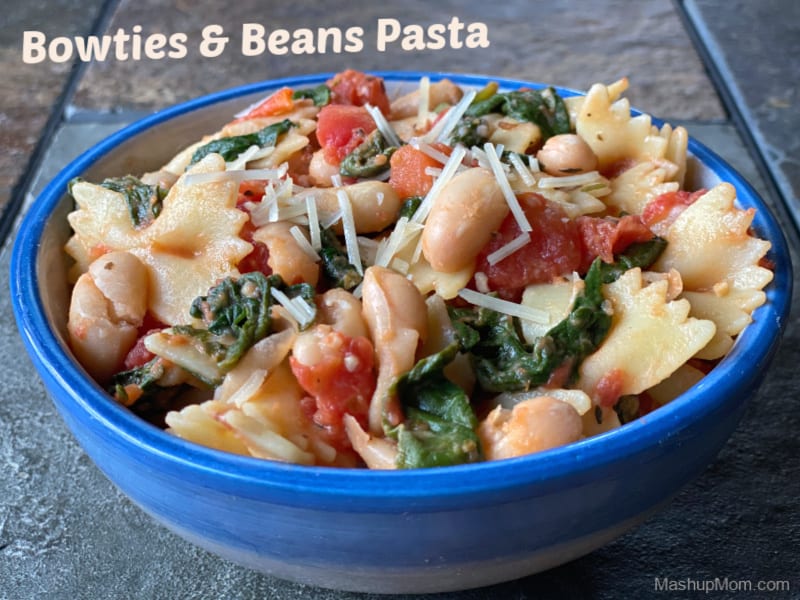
[11,211]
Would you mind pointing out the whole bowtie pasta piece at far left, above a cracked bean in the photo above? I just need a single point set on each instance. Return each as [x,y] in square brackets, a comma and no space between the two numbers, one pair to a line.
[191,245]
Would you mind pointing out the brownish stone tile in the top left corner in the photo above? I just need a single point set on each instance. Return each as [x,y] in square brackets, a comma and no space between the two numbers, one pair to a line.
[29,91]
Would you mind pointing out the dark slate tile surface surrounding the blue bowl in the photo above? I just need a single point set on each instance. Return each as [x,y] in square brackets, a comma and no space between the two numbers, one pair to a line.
[66,532]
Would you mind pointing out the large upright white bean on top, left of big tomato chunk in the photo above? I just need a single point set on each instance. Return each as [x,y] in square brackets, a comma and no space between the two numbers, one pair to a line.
[468,209]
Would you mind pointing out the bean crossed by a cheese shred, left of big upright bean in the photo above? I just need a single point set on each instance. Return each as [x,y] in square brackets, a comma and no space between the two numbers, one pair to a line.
[375,205]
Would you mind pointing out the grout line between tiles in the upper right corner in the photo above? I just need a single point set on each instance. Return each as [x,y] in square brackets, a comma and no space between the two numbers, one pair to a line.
[716,66]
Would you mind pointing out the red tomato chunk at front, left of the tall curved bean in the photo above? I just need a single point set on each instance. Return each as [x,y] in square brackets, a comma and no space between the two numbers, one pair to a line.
[341,382]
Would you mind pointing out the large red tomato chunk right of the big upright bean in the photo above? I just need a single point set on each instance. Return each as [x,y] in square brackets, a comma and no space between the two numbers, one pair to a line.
[554,248]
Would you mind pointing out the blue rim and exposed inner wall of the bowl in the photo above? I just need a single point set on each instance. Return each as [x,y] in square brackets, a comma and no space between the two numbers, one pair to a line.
[40,293]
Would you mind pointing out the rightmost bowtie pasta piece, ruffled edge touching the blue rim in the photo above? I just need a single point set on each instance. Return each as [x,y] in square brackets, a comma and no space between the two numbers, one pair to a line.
[710,245]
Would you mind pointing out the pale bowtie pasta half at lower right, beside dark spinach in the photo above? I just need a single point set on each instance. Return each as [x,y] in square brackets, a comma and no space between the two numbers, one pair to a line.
[649,336]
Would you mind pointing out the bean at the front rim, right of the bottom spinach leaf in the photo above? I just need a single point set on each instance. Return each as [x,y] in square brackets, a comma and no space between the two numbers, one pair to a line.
[531,426]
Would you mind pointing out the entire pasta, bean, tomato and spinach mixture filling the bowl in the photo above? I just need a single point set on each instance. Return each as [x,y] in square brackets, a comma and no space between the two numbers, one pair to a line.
[450,275]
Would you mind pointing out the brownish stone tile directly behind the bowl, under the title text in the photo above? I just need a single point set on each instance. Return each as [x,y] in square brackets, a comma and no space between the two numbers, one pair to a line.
[563,42]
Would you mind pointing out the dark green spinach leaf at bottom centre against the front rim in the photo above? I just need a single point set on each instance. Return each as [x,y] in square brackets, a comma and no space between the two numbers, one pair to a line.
[439,428]
